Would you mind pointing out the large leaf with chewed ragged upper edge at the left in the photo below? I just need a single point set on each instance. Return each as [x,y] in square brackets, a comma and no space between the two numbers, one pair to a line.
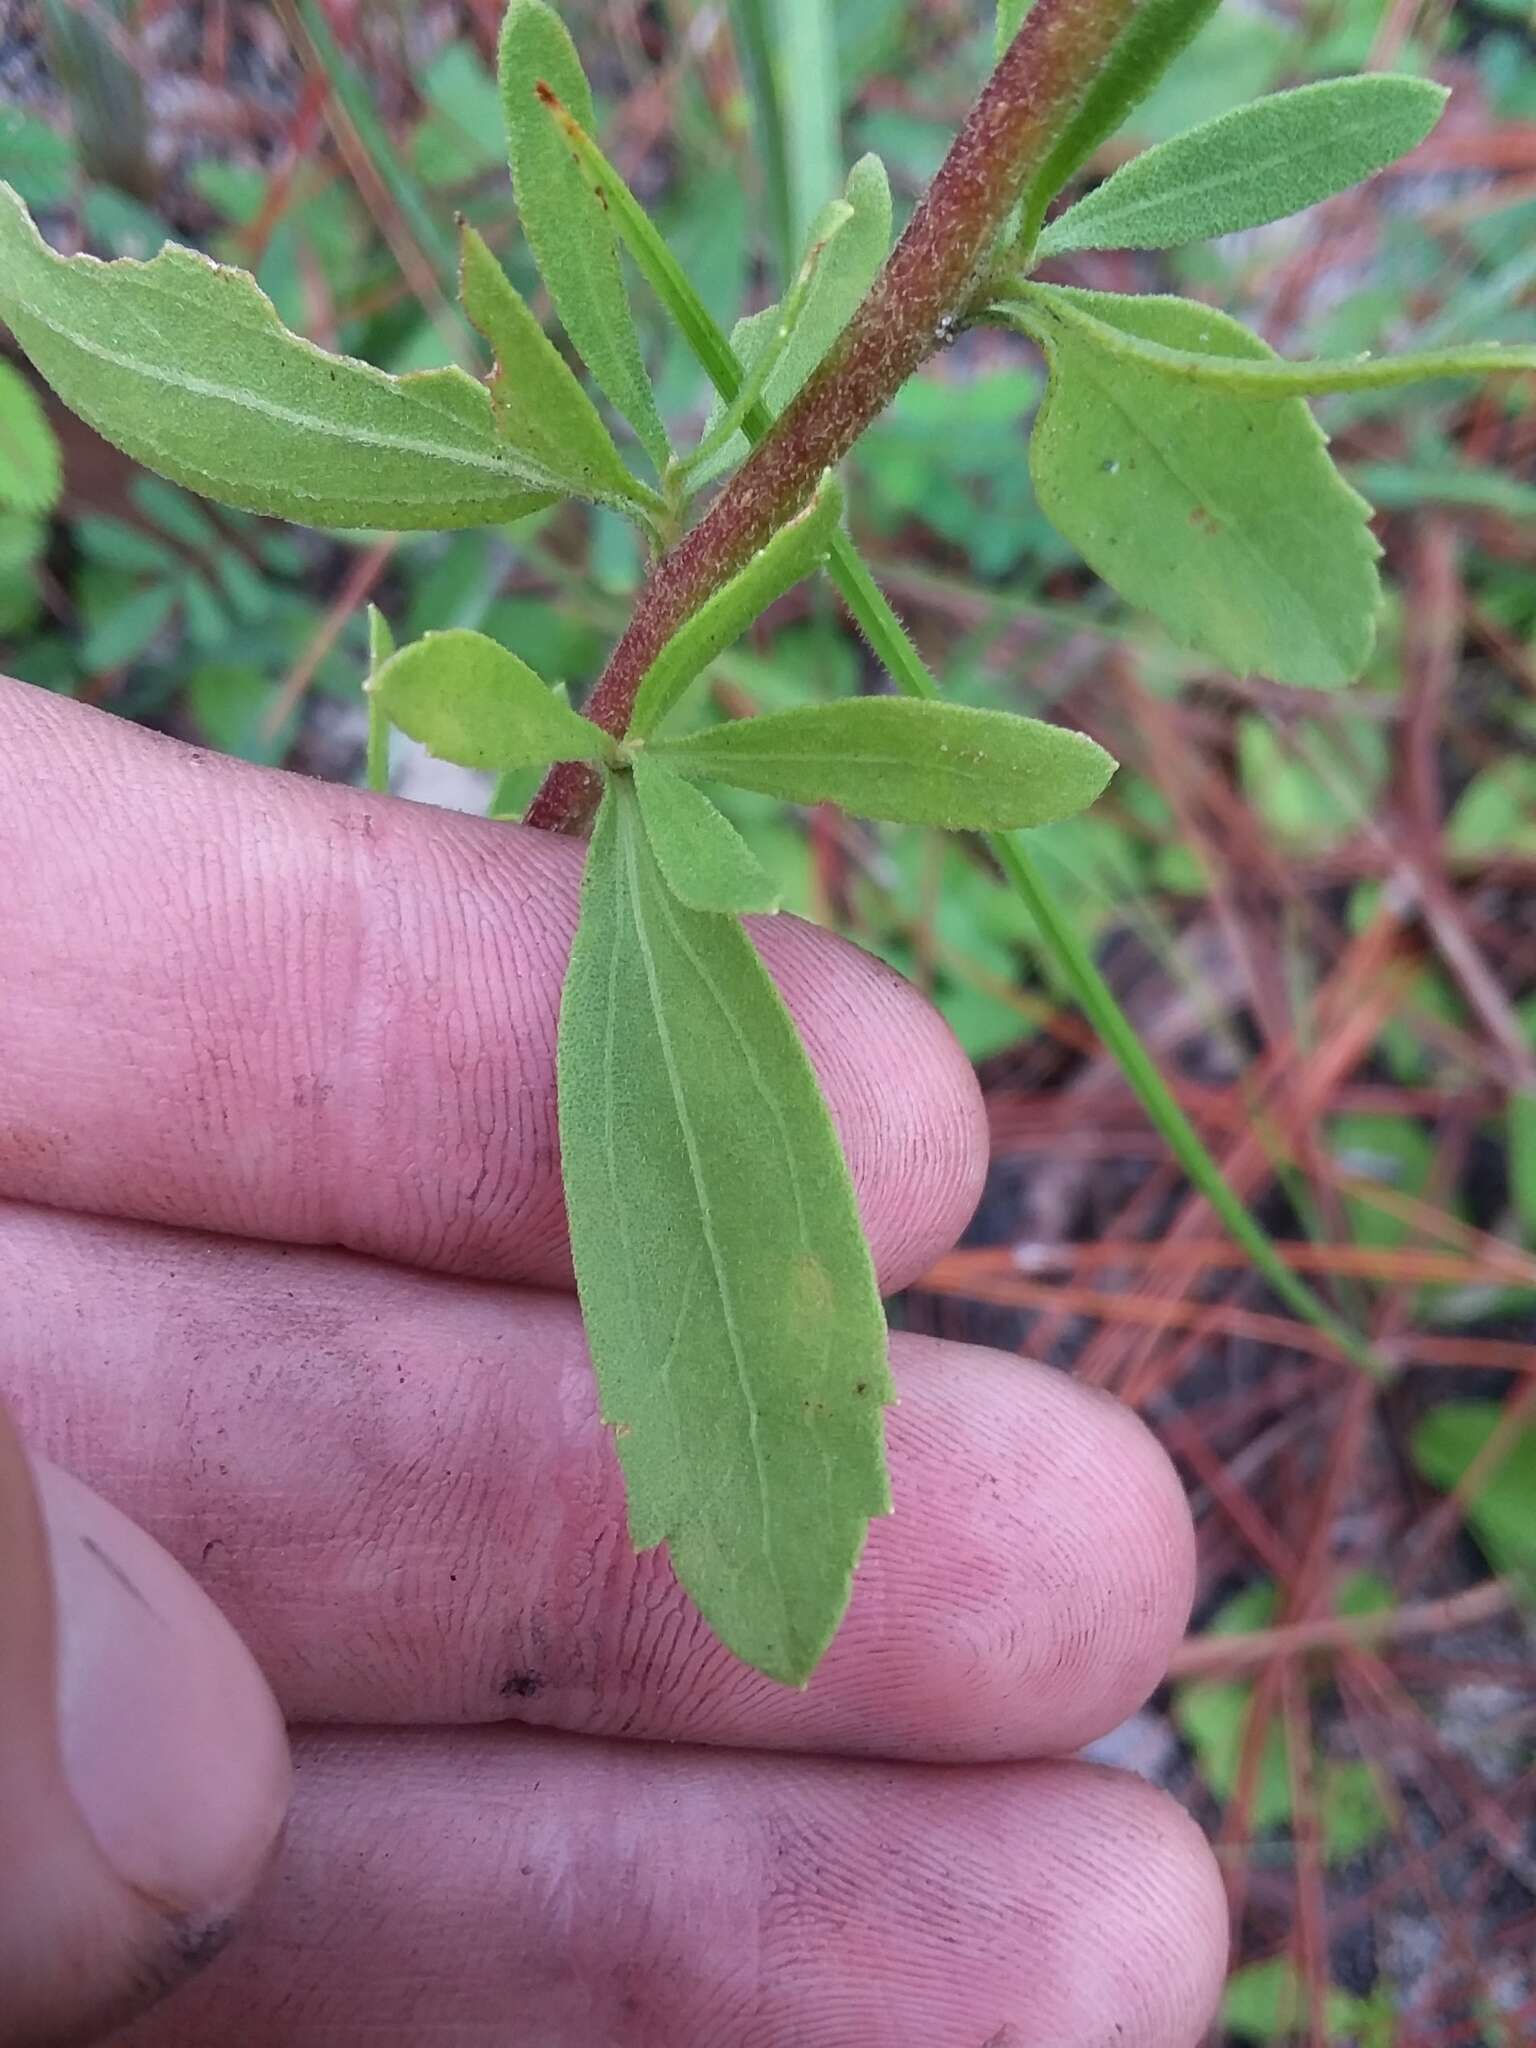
[187,368]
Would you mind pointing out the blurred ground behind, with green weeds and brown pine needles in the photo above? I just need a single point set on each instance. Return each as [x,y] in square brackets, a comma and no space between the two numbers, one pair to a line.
[1318,908]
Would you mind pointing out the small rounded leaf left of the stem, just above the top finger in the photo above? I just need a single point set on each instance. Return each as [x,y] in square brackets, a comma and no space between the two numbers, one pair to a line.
[470,701]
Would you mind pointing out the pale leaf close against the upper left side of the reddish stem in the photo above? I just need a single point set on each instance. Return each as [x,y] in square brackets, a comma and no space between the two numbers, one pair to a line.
[845,265]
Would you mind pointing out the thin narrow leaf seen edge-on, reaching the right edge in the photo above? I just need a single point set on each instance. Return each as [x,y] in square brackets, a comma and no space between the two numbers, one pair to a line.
[1099,318]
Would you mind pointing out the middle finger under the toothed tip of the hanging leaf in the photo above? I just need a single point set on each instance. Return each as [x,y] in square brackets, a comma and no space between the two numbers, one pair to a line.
[400,1492]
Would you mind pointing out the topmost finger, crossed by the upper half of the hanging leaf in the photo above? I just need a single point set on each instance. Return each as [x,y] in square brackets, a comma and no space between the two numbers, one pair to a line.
[259,1005]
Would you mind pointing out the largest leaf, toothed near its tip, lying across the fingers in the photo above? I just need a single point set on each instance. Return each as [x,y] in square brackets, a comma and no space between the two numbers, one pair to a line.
[724,1277]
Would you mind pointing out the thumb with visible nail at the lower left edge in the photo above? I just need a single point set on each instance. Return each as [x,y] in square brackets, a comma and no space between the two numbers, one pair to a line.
[142,1764]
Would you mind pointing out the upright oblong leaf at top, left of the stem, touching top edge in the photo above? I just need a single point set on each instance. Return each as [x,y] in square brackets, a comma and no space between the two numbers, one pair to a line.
[564,218]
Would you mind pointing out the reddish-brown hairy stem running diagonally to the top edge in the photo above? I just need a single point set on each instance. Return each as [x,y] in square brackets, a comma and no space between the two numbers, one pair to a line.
[910,310]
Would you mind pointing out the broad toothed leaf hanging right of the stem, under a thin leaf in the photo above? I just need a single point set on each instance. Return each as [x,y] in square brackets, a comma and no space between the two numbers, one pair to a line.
[1222,515]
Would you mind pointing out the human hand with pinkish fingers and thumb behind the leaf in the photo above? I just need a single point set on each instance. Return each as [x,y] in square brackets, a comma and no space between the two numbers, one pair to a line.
[323,1025]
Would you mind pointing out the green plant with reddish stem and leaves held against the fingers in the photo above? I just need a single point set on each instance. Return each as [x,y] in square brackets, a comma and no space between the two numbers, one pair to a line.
[728,1291]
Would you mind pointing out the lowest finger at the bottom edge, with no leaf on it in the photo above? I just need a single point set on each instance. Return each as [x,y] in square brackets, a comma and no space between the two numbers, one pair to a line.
[507,1887]
